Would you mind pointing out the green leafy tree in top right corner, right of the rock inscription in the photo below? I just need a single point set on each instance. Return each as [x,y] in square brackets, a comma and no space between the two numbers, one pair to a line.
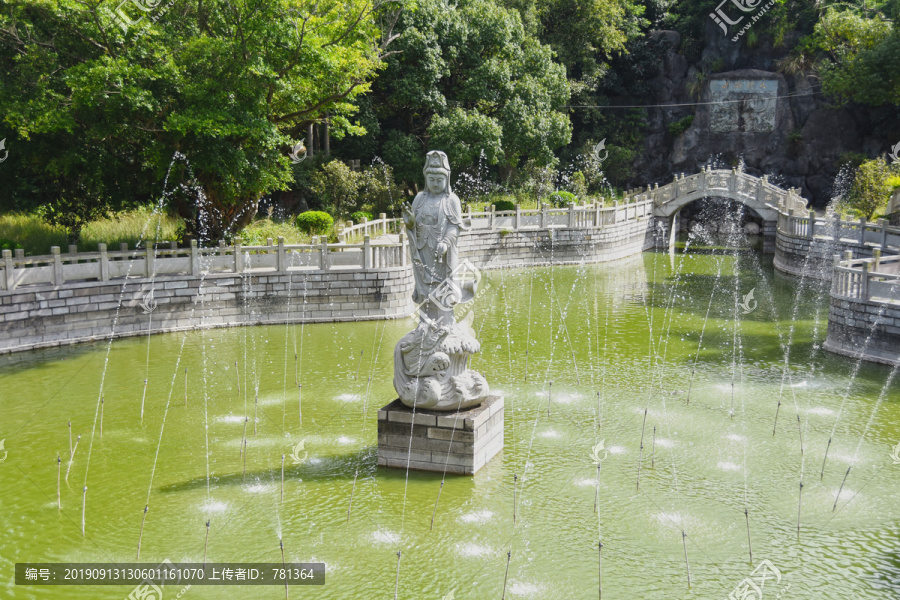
[862,56]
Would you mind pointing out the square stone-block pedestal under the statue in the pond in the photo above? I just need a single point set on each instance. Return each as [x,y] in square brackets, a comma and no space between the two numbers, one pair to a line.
[425,445]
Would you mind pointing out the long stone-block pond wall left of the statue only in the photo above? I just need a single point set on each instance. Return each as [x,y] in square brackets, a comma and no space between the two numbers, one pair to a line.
[80,312]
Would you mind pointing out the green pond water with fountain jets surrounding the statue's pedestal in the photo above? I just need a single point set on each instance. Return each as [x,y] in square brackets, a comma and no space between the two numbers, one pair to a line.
[616,340]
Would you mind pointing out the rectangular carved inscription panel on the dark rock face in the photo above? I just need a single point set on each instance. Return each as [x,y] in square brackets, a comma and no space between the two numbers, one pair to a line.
[743,105]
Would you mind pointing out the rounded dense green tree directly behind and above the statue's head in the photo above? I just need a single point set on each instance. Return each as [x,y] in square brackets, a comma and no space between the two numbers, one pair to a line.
[470,79]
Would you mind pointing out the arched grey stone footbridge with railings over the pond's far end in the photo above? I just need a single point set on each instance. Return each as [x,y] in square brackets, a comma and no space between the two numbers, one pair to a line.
[756,193]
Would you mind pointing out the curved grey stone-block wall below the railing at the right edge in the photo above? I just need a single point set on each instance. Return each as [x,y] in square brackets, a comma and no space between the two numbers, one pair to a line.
[867,330]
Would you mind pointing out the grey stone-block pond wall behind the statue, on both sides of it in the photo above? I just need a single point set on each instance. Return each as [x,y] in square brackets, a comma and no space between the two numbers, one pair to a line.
[45,315]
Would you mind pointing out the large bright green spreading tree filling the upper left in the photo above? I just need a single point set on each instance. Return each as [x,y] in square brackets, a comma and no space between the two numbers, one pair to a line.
[100,108]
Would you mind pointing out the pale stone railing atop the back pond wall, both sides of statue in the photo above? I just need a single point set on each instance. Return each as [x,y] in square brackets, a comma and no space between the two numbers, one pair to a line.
[56,269]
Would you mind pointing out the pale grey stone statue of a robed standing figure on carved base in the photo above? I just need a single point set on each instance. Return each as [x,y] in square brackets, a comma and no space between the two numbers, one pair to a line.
[430,362]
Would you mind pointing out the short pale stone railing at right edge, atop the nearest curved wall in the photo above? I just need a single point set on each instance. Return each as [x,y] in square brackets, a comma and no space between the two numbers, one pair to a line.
[867,279]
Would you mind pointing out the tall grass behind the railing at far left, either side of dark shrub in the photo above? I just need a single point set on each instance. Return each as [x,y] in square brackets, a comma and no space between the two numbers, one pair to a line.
[37,236]
